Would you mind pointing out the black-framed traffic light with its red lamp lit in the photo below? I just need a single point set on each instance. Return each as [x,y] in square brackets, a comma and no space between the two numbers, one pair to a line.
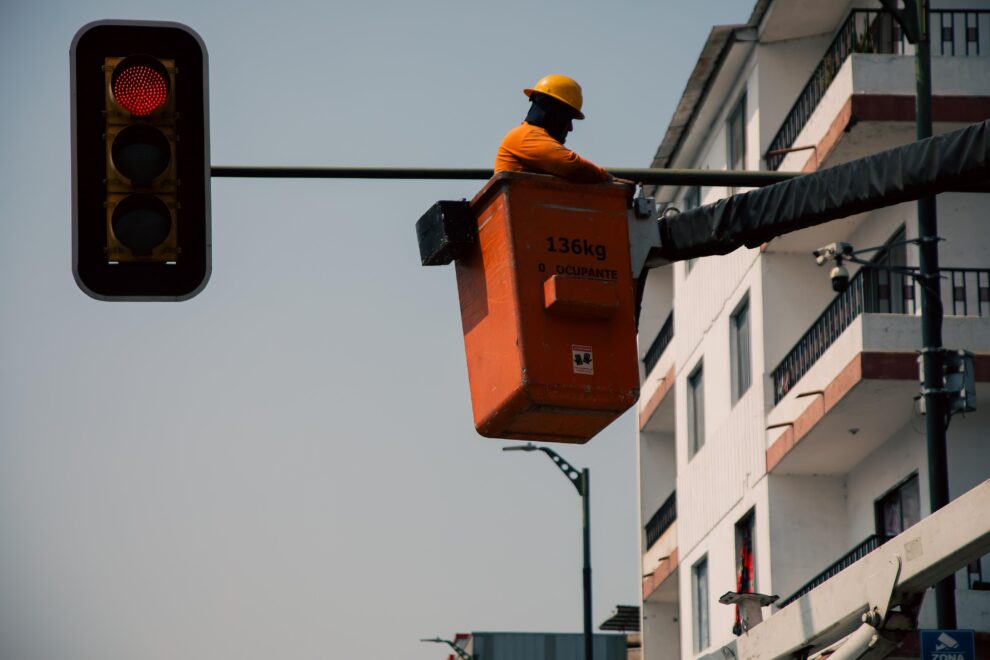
[140,161]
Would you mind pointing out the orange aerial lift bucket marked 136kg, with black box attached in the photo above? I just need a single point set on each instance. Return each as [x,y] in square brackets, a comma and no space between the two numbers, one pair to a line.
[547,303]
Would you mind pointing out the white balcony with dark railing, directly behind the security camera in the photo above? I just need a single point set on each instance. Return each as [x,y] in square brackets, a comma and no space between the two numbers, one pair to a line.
[848,383]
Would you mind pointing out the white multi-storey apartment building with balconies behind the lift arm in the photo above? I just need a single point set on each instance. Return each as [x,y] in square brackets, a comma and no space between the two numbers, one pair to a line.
[782,414]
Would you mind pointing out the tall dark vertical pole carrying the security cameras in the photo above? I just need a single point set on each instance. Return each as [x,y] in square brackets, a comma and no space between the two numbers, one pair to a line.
[914,20]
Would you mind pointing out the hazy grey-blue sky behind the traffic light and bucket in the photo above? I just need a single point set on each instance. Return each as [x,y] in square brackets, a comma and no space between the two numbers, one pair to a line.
[285,466]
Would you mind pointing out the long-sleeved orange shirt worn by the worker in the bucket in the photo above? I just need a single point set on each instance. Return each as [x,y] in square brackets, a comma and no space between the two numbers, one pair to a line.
[528,148]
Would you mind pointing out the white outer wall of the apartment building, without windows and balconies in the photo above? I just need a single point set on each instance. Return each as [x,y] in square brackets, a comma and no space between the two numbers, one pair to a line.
[803,522]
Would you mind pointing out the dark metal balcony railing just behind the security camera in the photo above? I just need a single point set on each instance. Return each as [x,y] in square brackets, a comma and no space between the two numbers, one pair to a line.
[965,292]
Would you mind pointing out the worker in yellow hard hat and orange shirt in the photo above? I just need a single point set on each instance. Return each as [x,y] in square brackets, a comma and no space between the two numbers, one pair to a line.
[537,144]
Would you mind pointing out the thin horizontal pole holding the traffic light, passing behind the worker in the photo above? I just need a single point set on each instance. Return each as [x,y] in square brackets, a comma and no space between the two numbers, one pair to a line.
[646,176]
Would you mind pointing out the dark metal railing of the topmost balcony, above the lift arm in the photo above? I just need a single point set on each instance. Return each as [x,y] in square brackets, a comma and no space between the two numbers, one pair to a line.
[953,32]
